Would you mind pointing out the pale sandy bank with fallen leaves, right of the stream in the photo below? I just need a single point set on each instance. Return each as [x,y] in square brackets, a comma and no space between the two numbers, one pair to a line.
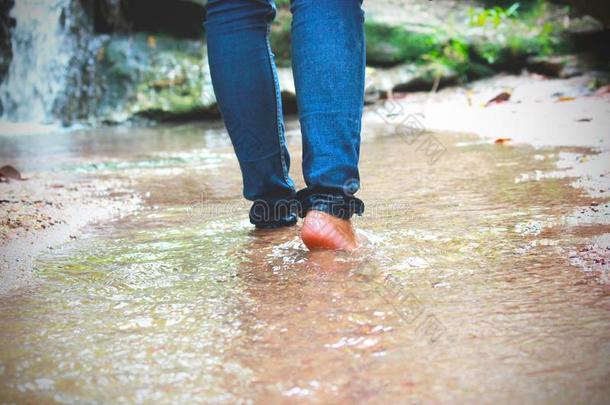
[527,109]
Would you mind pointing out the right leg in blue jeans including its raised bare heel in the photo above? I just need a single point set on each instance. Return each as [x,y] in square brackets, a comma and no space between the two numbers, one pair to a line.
[328,57]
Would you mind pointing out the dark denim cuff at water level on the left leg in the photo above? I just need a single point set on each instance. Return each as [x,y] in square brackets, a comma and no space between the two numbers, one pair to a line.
[274,214]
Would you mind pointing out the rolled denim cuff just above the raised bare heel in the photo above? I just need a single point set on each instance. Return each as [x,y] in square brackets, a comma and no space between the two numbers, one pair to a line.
[336,204]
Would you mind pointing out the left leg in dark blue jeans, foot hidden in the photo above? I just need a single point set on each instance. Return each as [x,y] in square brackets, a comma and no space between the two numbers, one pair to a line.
[247,90]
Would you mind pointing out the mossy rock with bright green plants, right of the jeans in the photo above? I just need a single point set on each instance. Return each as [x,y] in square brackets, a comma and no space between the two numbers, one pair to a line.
[452,34]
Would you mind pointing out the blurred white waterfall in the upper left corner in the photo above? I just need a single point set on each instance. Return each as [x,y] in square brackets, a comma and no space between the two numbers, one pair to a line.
[42,51]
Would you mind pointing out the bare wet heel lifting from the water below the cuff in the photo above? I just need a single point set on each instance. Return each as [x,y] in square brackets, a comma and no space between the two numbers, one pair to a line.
[324,231]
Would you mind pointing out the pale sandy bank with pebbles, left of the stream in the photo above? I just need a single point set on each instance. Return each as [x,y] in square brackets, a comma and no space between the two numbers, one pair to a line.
[47,210]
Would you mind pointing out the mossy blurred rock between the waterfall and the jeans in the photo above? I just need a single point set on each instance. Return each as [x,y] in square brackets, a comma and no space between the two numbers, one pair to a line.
[156,77]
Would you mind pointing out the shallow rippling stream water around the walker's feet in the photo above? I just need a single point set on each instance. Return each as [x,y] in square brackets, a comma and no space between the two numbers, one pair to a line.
[463,292]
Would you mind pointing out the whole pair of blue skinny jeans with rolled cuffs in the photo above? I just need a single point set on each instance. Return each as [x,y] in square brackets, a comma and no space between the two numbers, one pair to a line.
[328,61]
